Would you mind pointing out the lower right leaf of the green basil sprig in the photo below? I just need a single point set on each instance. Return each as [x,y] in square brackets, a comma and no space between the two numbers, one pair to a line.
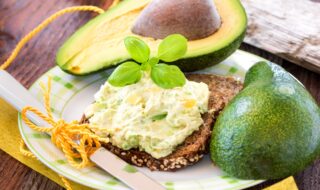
[167,76]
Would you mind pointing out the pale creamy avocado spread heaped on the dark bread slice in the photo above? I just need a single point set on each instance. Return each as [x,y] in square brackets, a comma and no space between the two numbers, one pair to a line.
[147,117]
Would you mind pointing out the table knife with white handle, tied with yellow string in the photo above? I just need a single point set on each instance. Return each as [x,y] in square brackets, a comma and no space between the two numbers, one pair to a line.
[19,97]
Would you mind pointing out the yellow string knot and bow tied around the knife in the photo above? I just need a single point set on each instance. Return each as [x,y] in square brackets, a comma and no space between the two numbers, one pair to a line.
[76,140]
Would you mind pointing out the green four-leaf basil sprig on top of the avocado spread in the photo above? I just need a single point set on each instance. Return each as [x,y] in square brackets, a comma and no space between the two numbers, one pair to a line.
[172,48]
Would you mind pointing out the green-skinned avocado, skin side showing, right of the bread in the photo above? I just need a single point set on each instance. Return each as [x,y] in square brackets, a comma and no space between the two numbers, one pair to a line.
[270,130]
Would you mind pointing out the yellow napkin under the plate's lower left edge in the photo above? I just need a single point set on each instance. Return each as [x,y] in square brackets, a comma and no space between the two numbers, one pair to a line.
[9,142]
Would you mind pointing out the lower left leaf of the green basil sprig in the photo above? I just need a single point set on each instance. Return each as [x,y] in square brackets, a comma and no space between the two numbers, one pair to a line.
[125,74]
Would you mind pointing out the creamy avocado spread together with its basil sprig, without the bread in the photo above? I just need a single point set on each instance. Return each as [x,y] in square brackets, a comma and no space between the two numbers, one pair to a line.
[156,111]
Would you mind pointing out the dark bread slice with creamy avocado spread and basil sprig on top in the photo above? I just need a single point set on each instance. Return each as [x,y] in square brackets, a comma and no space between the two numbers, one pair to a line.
[152,113]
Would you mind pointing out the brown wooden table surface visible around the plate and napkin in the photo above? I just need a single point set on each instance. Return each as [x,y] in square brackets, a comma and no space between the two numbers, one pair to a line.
[17,17]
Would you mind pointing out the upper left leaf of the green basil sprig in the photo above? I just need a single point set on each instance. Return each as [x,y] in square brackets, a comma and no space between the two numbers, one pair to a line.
[137,48]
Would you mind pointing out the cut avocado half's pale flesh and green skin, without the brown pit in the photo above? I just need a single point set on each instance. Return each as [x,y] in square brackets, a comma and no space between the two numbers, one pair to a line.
[99,43]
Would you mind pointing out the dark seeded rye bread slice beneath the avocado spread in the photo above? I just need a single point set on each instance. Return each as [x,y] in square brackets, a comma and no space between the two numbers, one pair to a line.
[222,90]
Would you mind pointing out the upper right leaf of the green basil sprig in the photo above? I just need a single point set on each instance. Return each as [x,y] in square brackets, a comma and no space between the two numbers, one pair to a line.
[172,48]
